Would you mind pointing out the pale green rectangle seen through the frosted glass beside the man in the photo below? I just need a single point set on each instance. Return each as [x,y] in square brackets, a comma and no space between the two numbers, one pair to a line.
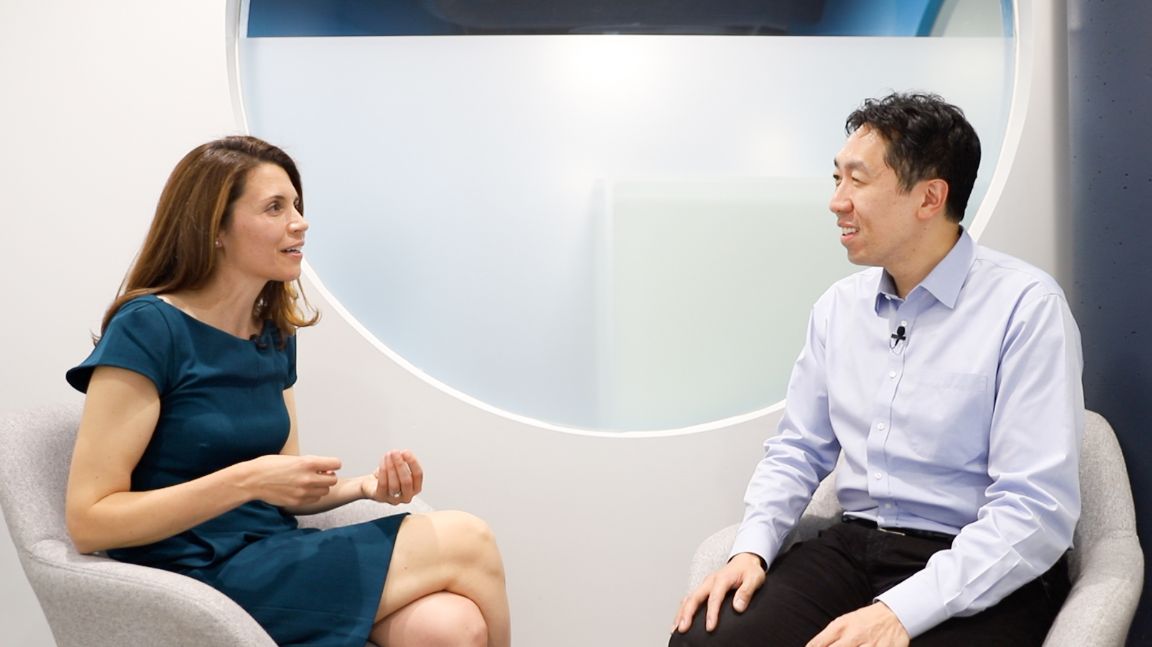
[708,286]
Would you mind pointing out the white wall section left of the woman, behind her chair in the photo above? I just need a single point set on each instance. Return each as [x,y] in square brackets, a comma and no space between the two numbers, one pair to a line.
[101,100]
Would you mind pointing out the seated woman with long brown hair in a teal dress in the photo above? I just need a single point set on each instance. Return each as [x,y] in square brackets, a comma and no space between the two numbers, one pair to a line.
[187,456]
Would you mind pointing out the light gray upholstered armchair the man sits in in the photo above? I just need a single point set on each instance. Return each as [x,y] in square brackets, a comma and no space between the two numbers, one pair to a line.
[1106,567]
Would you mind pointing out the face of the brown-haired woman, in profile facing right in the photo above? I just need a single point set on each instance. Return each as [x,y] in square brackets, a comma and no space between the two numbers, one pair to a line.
[264,240]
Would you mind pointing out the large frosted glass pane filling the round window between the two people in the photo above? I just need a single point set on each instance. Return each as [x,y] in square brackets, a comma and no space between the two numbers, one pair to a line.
[501,210]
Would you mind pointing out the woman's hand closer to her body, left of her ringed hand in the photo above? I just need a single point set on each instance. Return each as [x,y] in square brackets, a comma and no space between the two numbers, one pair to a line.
[290,482]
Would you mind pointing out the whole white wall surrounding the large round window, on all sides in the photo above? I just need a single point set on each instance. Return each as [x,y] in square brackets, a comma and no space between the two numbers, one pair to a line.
[102,100]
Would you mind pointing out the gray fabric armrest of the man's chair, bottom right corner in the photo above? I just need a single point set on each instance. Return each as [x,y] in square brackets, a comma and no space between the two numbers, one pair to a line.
[1103,602]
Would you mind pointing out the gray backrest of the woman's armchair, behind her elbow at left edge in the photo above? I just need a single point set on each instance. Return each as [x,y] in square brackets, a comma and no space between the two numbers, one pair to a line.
[34,473]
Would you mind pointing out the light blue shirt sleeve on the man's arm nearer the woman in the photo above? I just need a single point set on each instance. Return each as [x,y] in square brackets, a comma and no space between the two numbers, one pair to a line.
[797,460]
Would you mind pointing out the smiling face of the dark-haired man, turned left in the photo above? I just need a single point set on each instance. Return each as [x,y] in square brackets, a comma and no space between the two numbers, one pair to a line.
[877,220]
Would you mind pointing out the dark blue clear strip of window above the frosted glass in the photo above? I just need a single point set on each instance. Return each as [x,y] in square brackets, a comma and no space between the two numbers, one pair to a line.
[439,18]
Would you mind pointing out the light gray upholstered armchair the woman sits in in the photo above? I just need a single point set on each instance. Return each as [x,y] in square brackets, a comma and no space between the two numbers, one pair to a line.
[95,602]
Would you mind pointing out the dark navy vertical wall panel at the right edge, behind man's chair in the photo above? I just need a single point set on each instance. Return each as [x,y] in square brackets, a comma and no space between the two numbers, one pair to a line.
[1111,115]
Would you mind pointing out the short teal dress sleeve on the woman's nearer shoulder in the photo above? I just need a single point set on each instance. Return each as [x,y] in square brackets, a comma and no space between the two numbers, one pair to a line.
[138,339]
